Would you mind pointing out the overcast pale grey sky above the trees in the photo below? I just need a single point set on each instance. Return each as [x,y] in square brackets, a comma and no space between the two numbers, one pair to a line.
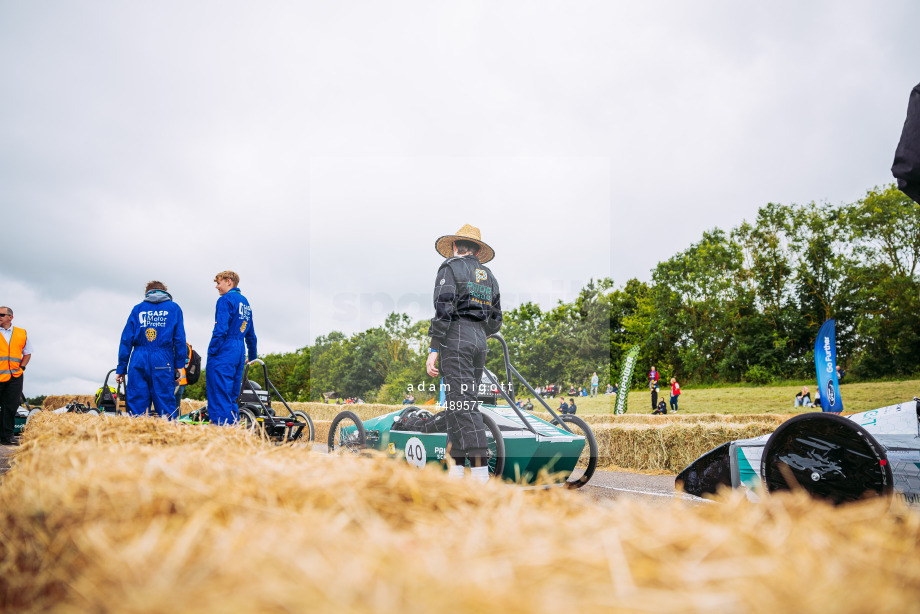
[320,149]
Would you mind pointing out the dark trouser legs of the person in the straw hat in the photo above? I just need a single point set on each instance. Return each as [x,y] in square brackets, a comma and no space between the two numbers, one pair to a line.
[462,357]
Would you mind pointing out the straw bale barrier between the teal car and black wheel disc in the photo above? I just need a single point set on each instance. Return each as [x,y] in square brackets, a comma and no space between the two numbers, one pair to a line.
[666,447]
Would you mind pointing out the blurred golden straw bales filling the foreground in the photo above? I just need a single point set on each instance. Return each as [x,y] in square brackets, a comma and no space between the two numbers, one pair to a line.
[99,525]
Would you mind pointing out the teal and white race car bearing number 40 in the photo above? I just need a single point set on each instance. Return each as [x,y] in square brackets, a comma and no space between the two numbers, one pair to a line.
[521,445]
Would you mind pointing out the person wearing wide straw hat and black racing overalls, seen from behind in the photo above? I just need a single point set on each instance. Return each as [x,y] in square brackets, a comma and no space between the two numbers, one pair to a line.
[467,309]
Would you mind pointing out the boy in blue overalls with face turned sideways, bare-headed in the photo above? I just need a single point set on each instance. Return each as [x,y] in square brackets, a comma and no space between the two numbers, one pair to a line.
[226,352]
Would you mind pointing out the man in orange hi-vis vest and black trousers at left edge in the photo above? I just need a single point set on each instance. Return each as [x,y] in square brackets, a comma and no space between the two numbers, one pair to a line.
[15,354]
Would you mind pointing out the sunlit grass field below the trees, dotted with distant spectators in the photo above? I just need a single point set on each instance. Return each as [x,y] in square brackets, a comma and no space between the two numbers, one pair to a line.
[752,400]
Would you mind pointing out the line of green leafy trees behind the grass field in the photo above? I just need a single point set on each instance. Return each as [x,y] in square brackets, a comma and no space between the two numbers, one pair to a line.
[738,305]
